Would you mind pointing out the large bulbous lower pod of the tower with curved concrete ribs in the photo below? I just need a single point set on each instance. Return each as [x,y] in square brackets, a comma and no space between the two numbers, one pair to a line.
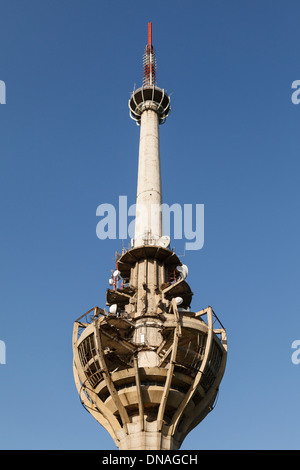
[149,407]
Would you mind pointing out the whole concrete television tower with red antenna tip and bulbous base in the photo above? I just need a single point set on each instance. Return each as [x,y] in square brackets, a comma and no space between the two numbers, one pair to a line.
[149,368]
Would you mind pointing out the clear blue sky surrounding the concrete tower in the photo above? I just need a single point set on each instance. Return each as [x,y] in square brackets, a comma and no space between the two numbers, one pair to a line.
[67,145]
